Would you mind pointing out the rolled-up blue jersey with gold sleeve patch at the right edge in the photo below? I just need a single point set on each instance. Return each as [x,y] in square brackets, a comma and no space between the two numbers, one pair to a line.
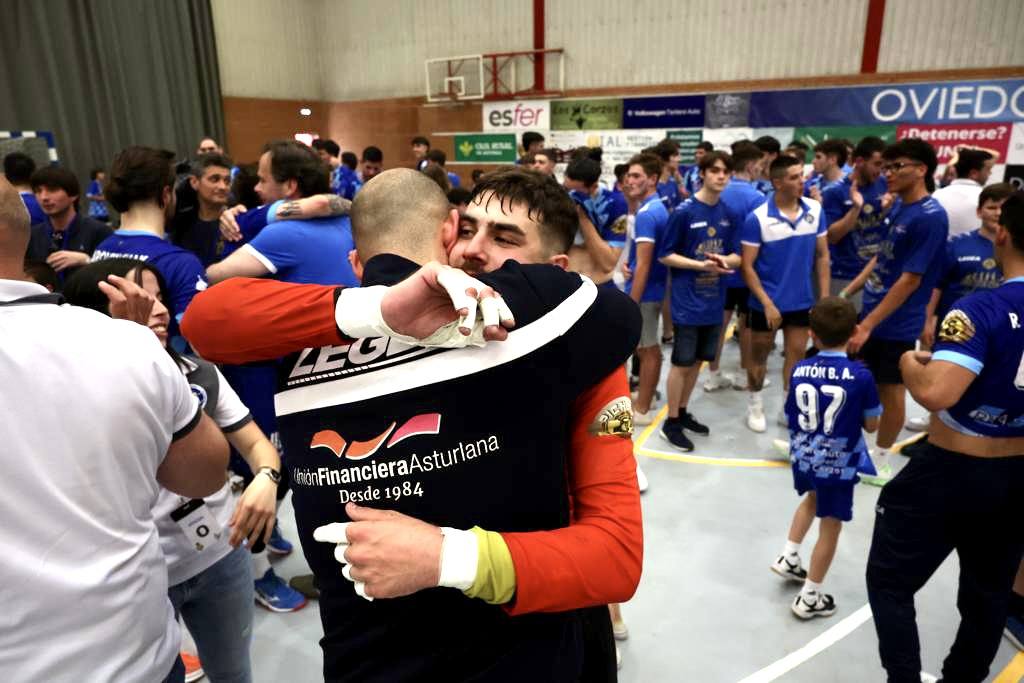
[985,333]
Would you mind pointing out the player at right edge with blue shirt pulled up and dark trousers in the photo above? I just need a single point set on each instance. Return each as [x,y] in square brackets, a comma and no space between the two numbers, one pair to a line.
[965,493]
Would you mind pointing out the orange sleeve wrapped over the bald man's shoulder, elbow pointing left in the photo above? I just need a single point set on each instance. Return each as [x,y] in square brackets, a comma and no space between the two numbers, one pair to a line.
[245,320]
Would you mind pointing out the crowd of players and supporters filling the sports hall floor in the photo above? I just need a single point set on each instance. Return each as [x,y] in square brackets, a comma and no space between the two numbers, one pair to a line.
[281,326]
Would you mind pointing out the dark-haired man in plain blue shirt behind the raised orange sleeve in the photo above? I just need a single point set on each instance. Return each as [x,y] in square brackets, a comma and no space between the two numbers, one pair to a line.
[293,251]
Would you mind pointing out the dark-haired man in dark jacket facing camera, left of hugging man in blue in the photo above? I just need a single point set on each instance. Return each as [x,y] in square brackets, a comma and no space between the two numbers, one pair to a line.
[211,181]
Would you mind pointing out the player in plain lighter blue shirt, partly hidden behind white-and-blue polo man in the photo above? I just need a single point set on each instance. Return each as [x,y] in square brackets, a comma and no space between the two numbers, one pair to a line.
[740,198]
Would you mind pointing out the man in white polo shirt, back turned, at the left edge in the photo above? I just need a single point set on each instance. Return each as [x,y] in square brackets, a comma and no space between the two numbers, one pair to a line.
[87,447]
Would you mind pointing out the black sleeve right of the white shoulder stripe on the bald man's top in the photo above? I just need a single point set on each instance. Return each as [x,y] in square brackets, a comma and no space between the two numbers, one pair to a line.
[604,339]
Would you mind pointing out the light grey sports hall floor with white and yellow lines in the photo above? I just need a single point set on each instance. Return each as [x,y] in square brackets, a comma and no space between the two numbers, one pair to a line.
[708,609]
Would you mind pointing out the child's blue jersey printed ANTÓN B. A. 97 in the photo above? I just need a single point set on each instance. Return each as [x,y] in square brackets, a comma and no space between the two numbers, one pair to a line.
[830,398]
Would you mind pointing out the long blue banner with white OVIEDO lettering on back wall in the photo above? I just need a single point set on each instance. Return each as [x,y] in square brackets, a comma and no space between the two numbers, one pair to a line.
[909,103]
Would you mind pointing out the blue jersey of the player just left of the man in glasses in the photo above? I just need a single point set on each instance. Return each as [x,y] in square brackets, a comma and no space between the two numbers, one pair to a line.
[851,254]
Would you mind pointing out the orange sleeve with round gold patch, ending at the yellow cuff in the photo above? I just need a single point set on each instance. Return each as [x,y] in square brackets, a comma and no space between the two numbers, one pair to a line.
[599,559]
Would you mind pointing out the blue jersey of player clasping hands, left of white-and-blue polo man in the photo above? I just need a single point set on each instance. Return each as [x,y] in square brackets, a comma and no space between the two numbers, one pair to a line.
[695,230]
